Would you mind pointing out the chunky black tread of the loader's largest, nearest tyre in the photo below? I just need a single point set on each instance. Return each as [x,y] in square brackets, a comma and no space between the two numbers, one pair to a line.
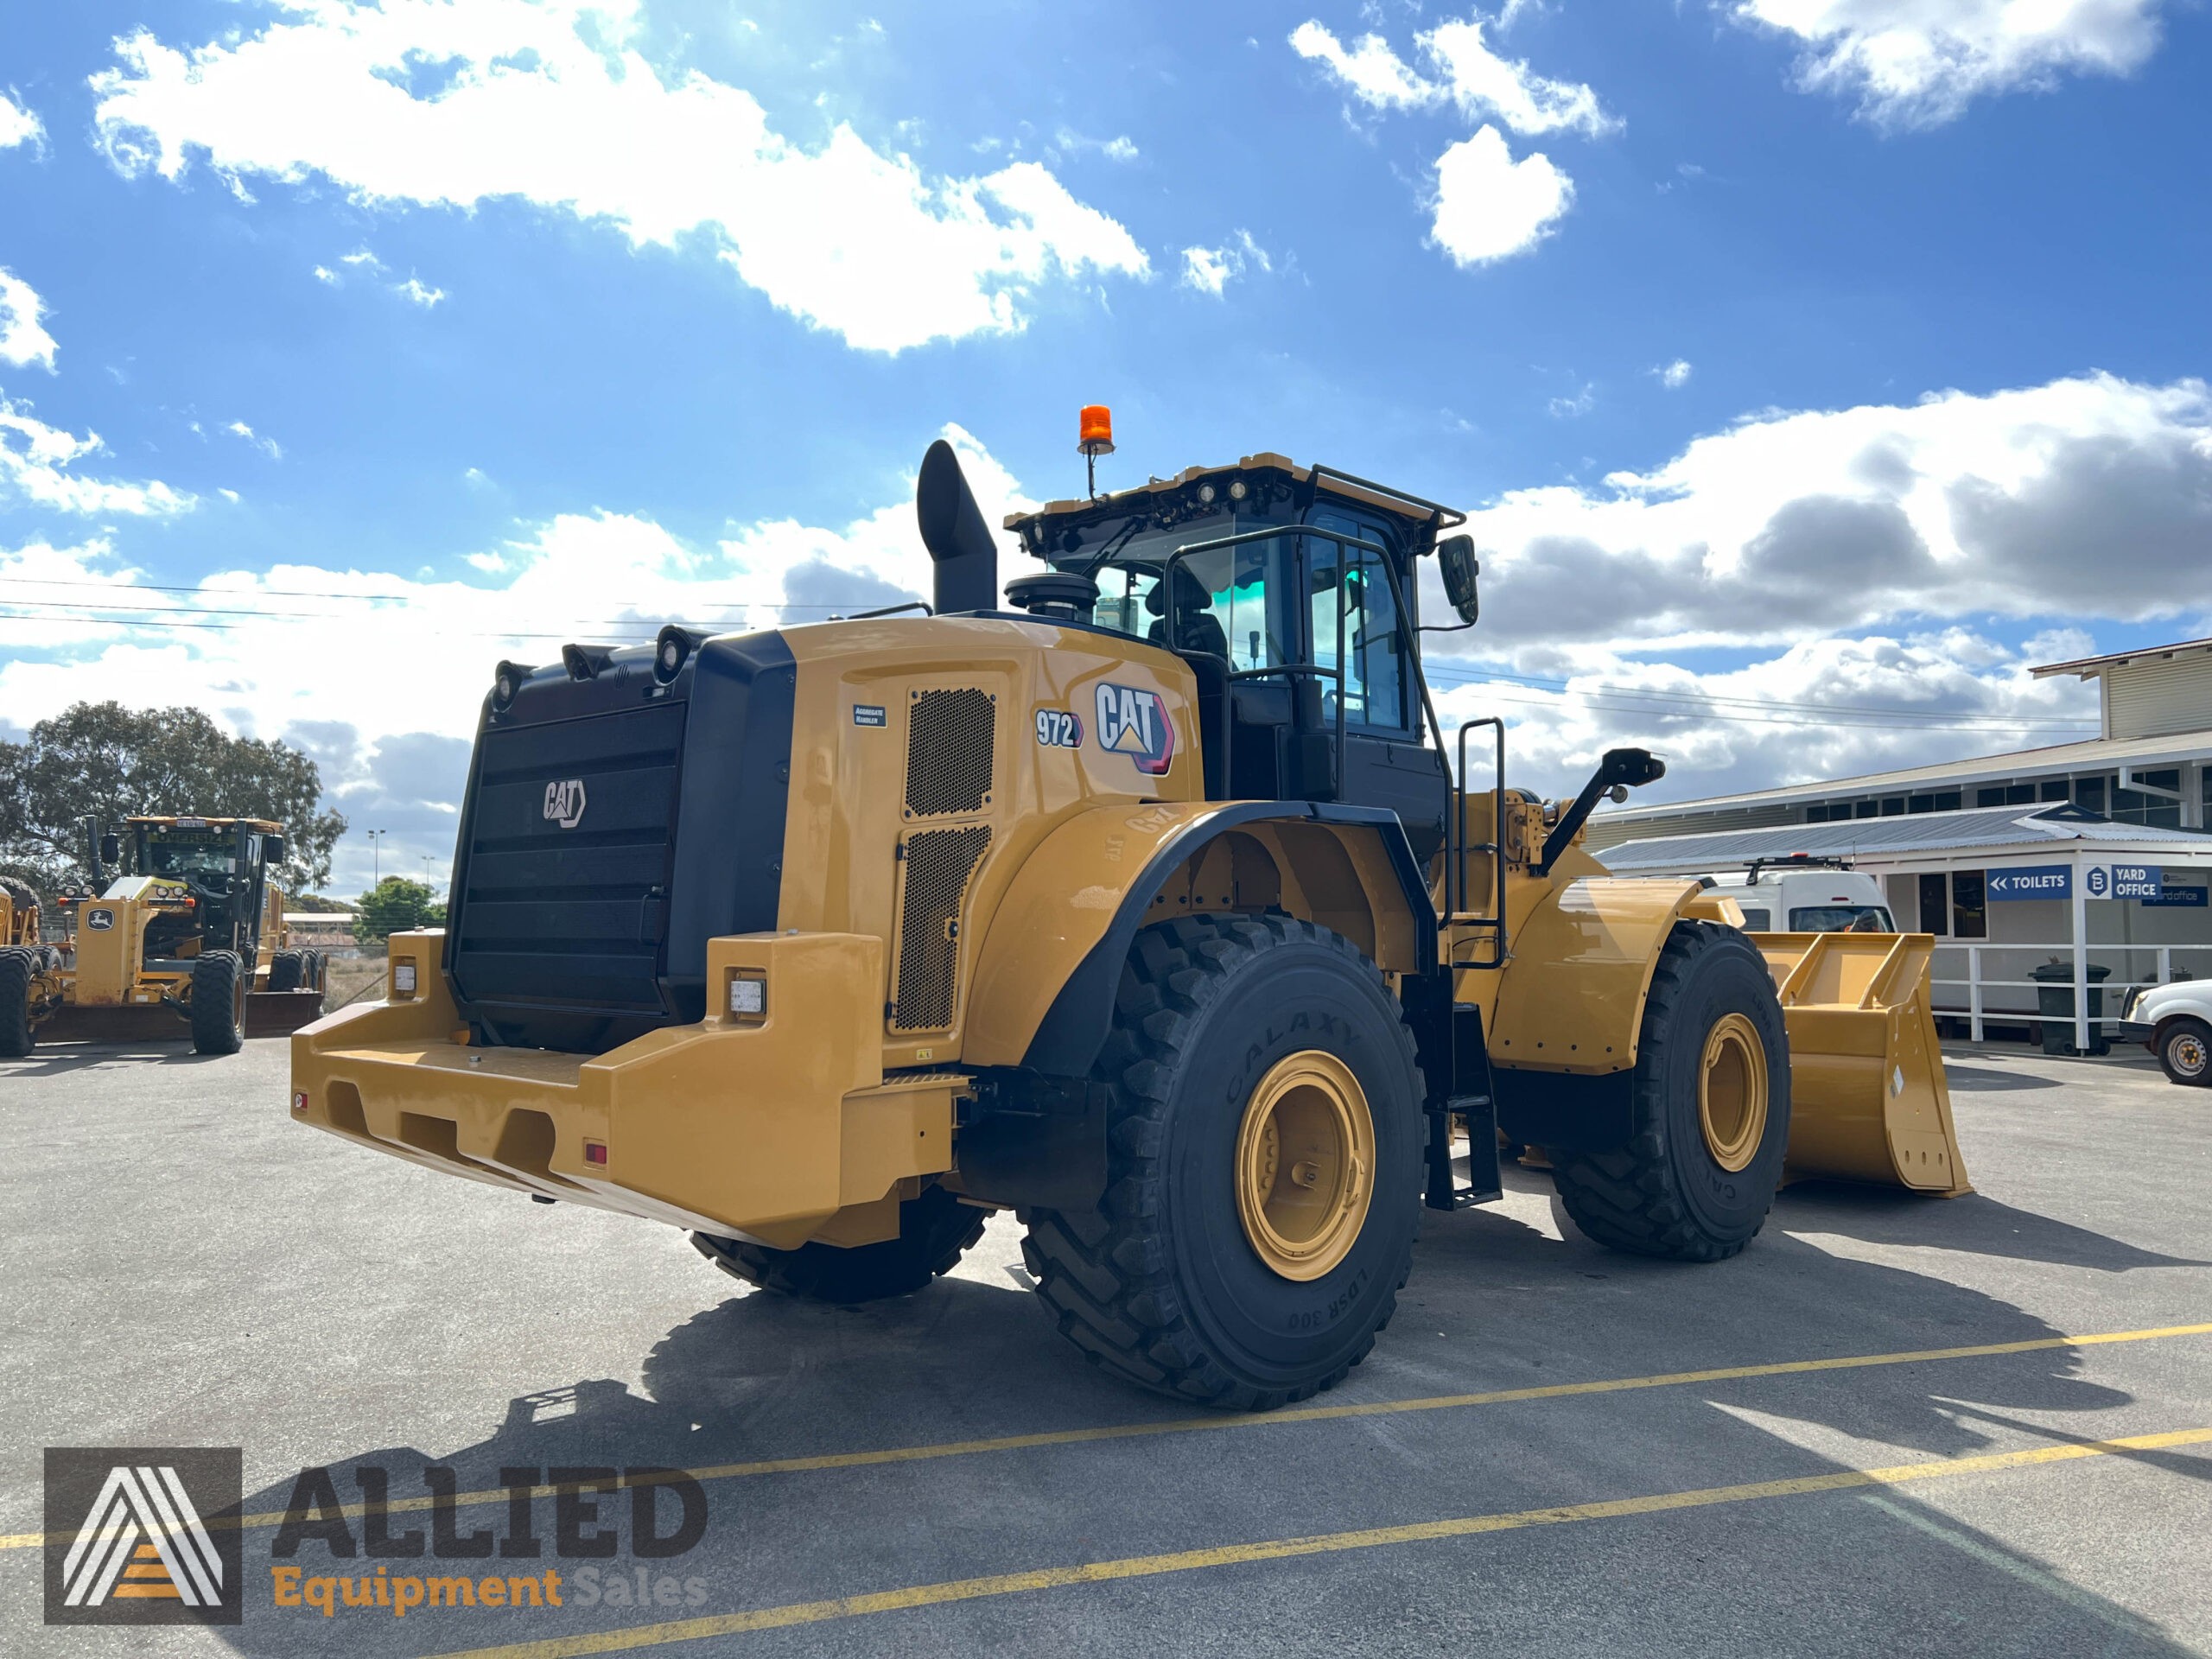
[1105,1277]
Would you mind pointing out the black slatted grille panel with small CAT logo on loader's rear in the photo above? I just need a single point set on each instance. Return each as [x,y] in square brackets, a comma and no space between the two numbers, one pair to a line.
[572,917]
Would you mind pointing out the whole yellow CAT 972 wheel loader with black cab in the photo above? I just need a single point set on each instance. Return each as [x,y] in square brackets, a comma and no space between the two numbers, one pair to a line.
[1140,901]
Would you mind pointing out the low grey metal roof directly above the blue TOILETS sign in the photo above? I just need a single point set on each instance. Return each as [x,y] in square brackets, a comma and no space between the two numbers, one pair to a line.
[2058,828]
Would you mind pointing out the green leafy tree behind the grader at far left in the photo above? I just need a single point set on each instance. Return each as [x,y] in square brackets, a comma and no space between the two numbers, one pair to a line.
[109,762]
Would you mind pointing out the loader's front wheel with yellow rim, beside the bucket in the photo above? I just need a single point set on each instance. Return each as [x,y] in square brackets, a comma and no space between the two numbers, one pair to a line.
[1693,1185]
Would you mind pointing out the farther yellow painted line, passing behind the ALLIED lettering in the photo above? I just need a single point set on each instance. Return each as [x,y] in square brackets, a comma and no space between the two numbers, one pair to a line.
[1262,1419]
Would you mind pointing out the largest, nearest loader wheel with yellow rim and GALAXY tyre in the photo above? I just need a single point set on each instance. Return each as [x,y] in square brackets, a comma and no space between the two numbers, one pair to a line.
[1264,1167]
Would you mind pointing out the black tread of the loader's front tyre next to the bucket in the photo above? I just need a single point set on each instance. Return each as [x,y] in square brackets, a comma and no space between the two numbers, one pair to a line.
[1627,1198]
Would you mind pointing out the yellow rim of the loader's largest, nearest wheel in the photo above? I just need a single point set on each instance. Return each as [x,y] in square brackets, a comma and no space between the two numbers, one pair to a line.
[1306,1165]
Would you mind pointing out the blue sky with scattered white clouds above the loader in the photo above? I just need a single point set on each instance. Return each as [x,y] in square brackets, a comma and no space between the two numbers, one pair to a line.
[1799,359]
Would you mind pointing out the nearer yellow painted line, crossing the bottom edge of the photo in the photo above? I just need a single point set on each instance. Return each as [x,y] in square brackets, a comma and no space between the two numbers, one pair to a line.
[1275,1550]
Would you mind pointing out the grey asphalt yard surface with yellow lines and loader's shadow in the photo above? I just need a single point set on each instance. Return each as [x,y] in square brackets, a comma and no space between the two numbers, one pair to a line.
[1892,1426]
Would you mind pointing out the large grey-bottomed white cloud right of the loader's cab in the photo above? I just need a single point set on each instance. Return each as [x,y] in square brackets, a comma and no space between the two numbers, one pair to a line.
[1799,523]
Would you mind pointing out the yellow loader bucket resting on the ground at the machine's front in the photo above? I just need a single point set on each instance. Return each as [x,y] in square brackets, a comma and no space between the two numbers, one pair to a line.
[1868,1098]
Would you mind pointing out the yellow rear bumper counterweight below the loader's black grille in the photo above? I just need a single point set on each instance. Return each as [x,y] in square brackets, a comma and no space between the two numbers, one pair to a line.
[751,1129]
